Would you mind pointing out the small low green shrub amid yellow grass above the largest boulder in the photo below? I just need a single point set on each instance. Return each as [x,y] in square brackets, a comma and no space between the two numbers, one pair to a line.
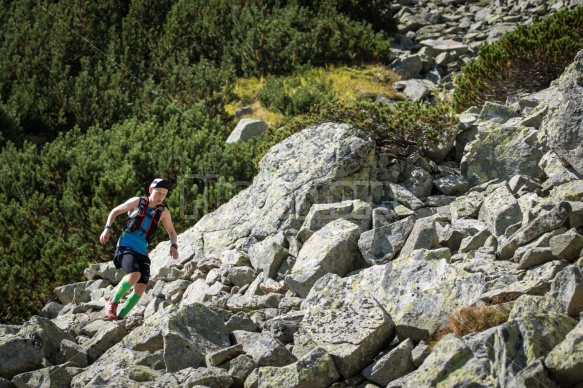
[291,96]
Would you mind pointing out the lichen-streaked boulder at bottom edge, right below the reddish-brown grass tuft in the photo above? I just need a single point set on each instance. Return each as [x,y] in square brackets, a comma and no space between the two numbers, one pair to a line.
[474,360]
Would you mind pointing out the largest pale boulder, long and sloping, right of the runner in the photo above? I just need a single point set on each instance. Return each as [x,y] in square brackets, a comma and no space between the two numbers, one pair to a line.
[323,164]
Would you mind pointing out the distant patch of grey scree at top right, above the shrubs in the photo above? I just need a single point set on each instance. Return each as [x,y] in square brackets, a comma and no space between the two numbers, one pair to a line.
[436,38]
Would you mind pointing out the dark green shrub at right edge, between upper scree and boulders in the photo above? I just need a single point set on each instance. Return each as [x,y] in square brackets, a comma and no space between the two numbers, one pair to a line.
[525,60]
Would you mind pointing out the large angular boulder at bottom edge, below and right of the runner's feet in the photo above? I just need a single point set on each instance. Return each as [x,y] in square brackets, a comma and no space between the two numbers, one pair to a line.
[180,337]
